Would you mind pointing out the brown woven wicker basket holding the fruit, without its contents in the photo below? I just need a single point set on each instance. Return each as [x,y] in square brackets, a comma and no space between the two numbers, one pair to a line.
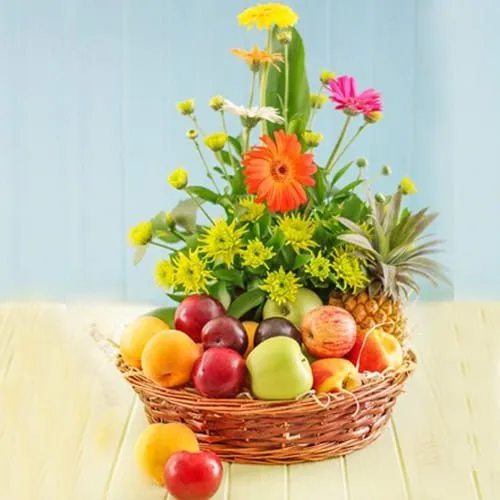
[249,431]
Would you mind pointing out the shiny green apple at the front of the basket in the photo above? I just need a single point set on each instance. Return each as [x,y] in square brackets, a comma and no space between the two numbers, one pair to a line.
[279,370]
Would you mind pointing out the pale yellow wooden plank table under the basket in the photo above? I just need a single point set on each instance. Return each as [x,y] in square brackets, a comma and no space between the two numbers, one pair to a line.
[68,422]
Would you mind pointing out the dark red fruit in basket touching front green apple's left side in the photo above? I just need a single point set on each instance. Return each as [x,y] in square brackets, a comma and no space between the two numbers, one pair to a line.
[219,373]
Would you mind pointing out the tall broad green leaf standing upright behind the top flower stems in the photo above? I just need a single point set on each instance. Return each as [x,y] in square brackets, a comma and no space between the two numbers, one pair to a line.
[298,102]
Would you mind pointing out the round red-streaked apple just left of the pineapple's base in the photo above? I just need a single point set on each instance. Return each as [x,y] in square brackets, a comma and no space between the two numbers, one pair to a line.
[328,332]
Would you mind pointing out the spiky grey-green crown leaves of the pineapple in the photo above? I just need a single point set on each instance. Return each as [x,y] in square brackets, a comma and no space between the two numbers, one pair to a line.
[396,250]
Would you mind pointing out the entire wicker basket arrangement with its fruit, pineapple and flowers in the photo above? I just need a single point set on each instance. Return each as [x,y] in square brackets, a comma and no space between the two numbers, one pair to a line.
[289,342]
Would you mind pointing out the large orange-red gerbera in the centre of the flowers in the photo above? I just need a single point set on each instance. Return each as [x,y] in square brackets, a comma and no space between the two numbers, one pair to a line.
[277,172]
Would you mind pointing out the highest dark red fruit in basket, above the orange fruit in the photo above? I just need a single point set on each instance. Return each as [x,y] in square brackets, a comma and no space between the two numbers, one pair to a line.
[195,312]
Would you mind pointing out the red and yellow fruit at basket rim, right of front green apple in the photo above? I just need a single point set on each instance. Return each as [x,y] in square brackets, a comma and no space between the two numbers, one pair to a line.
[334,375]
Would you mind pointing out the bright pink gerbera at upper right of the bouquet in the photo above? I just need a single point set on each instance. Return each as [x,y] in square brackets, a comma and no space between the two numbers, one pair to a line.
[343,92]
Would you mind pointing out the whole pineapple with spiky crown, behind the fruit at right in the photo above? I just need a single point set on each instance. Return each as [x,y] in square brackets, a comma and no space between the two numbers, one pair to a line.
[395,253]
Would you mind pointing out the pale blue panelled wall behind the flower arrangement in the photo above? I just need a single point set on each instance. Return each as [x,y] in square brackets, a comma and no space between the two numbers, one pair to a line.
[89,131]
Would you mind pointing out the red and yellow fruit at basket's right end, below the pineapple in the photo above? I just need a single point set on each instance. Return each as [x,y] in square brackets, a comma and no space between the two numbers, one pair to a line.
[375,351]
